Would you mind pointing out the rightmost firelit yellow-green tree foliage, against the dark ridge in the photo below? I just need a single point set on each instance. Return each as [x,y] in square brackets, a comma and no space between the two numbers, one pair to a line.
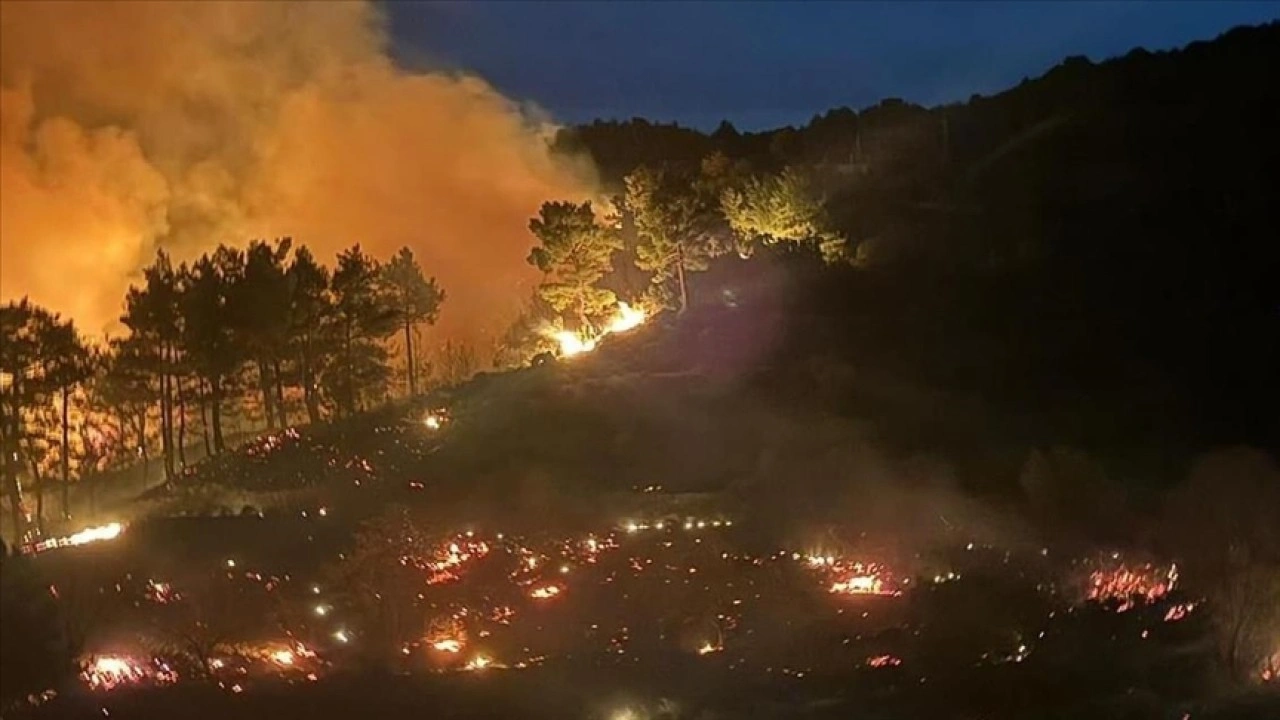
[781,208]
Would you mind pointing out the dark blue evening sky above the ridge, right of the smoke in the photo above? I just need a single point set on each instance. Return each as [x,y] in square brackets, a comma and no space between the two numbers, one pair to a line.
[765,65]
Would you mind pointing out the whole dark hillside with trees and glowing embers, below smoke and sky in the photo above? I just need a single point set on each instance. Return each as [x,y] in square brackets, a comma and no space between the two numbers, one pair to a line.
[957,413]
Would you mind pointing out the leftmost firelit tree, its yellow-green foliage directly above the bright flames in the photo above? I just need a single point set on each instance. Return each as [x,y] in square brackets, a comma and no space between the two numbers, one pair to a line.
[575,253]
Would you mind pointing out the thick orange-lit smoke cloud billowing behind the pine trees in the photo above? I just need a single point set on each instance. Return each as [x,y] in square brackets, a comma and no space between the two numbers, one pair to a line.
[134,126]
